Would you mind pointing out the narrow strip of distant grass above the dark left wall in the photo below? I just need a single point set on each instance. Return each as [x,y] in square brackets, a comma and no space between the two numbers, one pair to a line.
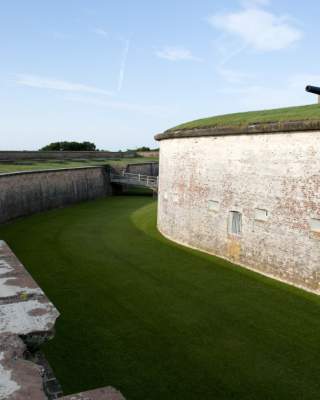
[40,165]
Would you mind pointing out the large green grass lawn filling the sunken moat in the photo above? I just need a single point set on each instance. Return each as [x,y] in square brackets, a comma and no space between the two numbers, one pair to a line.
[159,321]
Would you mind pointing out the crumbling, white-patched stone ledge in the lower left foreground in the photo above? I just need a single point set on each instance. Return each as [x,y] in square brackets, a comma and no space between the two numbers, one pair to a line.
[27,319]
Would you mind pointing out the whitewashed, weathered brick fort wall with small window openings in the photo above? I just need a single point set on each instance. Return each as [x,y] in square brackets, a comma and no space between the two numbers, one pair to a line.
[202,179]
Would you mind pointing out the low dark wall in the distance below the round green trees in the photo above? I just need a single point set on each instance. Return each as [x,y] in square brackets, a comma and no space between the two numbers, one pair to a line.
[62,155]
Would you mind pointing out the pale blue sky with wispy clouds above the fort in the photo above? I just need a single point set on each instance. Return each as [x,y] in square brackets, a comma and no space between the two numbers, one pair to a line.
[117,72]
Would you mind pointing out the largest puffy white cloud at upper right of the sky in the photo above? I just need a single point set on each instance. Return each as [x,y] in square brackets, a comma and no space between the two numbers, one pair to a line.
[258,28]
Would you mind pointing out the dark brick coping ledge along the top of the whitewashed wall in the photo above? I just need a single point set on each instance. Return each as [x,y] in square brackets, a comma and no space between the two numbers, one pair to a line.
[252,129]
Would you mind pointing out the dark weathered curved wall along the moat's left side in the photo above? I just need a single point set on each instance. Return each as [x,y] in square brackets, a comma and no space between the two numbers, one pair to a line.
[25,193]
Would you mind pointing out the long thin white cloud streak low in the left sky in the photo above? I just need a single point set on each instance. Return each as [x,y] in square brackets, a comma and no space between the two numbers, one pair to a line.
[41,82]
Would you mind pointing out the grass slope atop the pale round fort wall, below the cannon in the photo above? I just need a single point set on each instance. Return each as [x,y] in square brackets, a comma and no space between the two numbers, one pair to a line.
[309,112]
